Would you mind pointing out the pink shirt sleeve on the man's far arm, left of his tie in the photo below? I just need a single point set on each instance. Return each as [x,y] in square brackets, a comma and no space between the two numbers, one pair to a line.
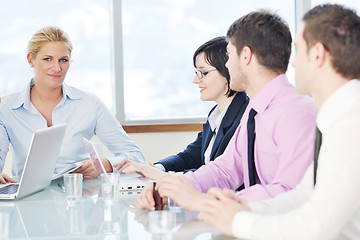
[224,172]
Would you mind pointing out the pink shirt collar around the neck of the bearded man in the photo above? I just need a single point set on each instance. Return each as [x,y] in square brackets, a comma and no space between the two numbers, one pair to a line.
[263,98]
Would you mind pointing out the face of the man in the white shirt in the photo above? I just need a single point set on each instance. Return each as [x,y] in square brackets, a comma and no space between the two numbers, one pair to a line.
[301,63]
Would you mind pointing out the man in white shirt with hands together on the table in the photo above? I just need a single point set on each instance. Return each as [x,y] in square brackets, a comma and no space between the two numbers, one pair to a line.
[327,67]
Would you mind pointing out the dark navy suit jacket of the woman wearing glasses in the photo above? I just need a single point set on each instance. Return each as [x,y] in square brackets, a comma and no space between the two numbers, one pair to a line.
[193,156]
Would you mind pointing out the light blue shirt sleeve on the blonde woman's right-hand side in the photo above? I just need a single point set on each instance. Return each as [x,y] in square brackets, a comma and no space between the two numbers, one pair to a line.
[111,133]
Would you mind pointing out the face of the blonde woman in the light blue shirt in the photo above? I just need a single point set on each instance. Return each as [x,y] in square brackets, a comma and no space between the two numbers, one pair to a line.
[50,64]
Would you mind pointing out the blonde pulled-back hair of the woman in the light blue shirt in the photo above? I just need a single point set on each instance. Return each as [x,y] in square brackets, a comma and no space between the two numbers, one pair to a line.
[45,35]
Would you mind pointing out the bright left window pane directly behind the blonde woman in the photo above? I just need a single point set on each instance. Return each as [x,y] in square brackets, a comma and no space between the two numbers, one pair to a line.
[88,24]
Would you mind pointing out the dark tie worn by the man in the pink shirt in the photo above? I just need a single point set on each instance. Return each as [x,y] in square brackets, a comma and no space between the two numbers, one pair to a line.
[251,141]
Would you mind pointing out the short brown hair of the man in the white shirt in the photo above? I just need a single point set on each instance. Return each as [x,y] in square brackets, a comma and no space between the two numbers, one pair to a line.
[338,29]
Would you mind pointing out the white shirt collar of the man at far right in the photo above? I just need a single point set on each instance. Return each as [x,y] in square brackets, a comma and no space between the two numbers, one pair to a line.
[337,104]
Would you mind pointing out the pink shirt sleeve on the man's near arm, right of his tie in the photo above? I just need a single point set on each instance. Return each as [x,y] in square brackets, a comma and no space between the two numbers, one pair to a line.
[294,135]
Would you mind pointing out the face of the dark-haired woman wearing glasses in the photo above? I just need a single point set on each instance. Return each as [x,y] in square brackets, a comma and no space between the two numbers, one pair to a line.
[213,86]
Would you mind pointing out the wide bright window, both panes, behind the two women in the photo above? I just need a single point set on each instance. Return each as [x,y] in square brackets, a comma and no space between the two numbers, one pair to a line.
[150,81]
